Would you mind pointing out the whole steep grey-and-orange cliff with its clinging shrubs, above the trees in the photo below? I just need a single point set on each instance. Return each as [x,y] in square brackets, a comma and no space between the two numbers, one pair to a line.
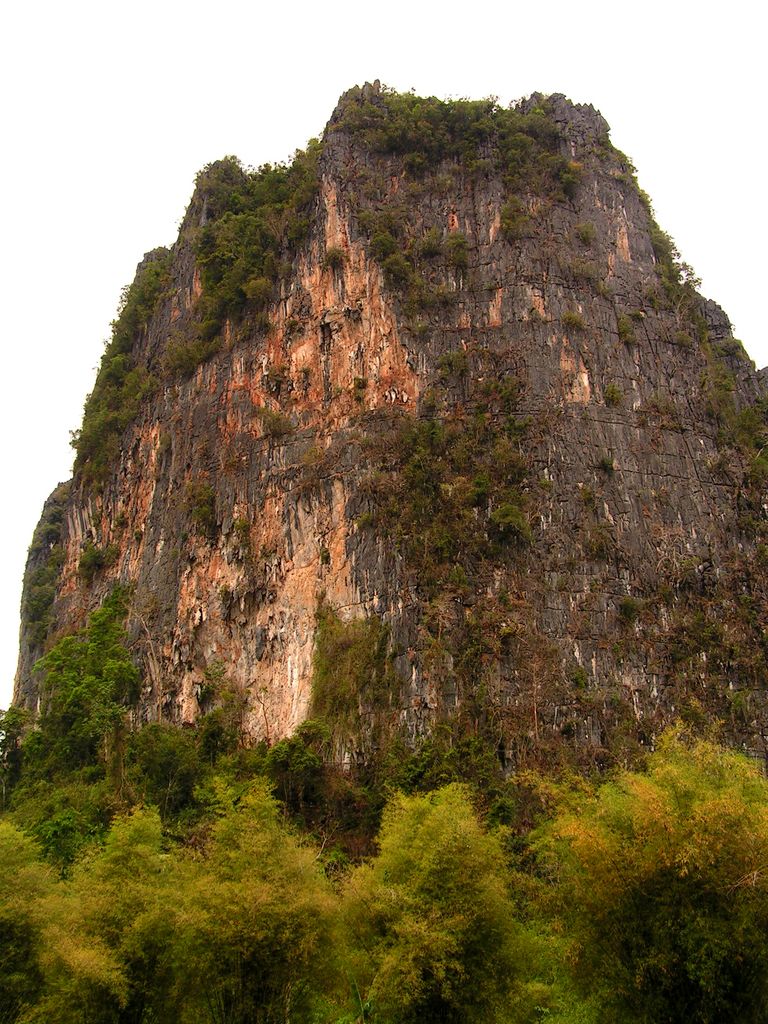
[474,397]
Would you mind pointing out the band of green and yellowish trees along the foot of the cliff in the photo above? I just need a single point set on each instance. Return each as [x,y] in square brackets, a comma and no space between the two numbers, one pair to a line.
[170,874]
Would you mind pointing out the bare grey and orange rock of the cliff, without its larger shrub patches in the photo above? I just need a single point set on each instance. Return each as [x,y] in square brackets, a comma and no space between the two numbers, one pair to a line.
[643,517]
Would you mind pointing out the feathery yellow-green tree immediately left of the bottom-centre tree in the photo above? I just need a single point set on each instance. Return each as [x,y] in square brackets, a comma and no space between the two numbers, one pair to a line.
[255,929]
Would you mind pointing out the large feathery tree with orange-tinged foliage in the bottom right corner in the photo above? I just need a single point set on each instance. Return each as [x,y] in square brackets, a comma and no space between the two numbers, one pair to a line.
[663,887]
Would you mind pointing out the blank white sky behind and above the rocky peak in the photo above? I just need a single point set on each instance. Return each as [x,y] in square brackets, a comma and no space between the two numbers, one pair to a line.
[111,109]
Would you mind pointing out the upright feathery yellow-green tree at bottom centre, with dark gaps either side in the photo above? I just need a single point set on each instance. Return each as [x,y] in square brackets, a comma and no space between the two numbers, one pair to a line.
[437,934]
